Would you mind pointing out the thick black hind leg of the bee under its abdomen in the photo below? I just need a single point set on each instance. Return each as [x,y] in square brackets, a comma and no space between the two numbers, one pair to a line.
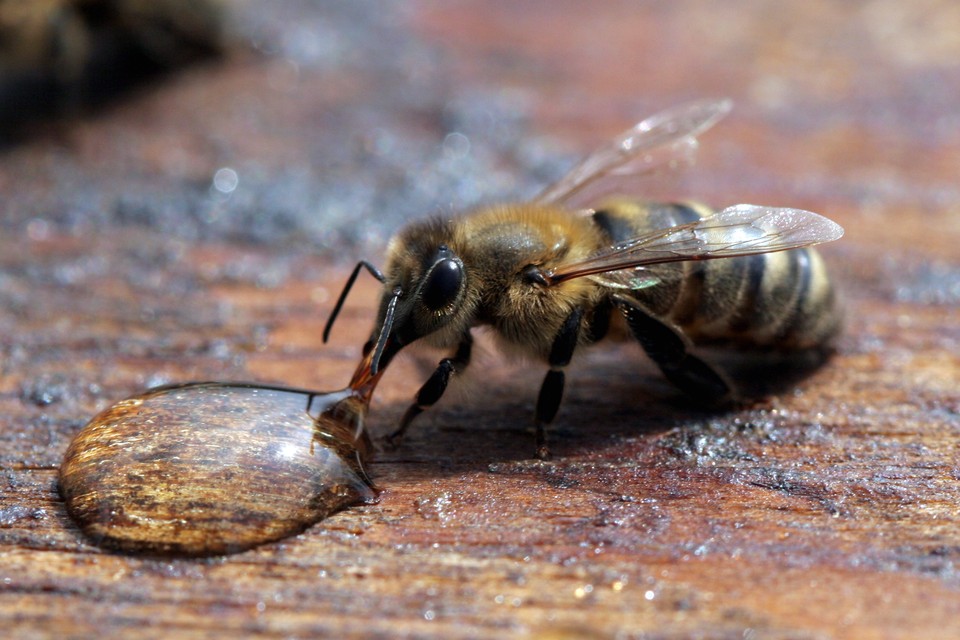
[669,349]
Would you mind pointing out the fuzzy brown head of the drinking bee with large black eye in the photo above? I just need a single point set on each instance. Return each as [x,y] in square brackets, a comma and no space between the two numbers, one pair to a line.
[425,292]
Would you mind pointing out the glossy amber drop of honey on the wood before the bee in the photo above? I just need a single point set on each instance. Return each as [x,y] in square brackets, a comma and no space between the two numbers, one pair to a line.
[211,468]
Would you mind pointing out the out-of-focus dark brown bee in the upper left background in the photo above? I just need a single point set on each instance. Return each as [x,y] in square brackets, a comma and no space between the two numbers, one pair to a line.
[70,51]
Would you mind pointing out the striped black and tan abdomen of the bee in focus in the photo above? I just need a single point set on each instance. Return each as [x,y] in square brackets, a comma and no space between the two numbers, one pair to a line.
[782,300]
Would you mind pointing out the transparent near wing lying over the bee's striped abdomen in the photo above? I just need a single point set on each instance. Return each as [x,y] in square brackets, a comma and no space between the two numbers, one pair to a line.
[740,230]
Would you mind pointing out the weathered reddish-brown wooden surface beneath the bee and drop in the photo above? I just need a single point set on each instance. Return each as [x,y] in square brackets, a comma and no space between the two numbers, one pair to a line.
[829,508]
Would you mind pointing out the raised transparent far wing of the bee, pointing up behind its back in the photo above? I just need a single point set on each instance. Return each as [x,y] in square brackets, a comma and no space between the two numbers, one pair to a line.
[665,140]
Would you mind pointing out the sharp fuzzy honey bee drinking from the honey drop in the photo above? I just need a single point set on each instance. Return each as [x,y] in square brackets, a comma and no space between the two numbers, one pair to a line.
[552,275]
